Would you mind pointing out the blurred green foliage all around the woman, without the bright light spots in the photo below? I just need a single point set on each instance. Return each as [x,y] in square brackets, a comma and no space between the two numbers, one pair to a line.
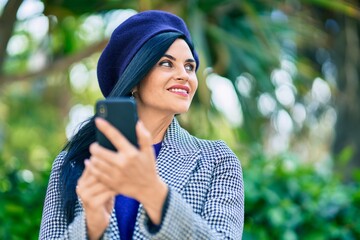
[285,197]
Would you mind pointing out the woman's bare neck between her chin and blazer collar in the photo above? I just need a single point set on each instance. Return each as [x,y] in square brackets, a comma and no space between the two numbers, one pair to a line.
[156,124]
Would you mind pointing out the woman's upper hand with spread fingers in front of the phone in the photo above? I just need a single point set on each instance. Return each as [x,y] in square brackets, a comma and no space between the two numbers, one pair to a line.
[130,171]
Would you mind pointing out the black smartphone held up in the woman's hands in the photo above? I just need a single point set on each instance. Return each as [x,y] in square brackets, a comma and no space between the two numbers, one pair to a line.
[122,114]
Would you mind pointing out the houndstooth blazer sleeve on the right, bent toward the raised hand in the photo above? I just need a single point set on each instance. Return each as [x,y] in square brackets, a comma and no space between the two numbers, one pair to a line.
[223,213]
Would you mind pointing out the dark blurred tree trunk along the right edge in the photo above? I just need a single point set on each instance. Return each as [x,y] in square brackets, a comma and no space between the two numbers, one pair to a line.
[347,129]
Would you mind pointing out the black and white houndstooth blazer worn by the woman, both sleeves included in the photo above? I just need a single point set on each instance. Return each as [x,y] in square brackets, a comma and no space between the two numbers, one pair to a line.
[206,200]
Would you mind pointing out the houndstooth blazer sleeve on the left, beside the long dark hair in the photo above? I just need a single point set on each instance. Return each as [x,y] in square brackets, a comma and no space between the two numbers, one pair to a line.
[53,221]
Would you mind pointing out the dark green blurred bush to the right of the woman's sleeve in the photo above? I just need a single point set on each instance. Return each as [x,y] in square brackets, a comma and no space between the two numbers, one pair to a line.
[288,199]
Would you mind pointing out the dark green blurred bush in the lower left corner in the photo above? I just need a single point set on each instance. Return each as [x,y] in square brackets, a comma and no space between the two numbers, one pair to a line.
[21,204]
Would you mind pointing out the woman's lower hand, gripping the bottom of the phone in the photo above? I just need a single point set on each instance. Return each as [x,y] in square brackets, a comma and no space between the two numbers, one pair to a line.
[97,200]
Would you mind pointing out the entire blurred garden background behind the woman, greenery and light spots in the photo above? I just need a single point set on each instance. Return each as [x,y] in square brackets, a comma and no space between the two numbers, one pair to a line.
[279,81]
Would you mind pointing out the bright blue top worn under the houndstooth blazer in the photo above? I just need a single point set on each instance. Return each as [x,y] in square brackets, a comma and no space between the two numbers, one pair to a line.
[126,209]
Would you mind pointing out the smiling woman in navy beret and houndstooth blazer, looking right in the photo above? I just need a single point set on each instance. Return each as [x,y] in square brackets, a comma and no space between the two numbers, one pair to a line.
[174,186]
